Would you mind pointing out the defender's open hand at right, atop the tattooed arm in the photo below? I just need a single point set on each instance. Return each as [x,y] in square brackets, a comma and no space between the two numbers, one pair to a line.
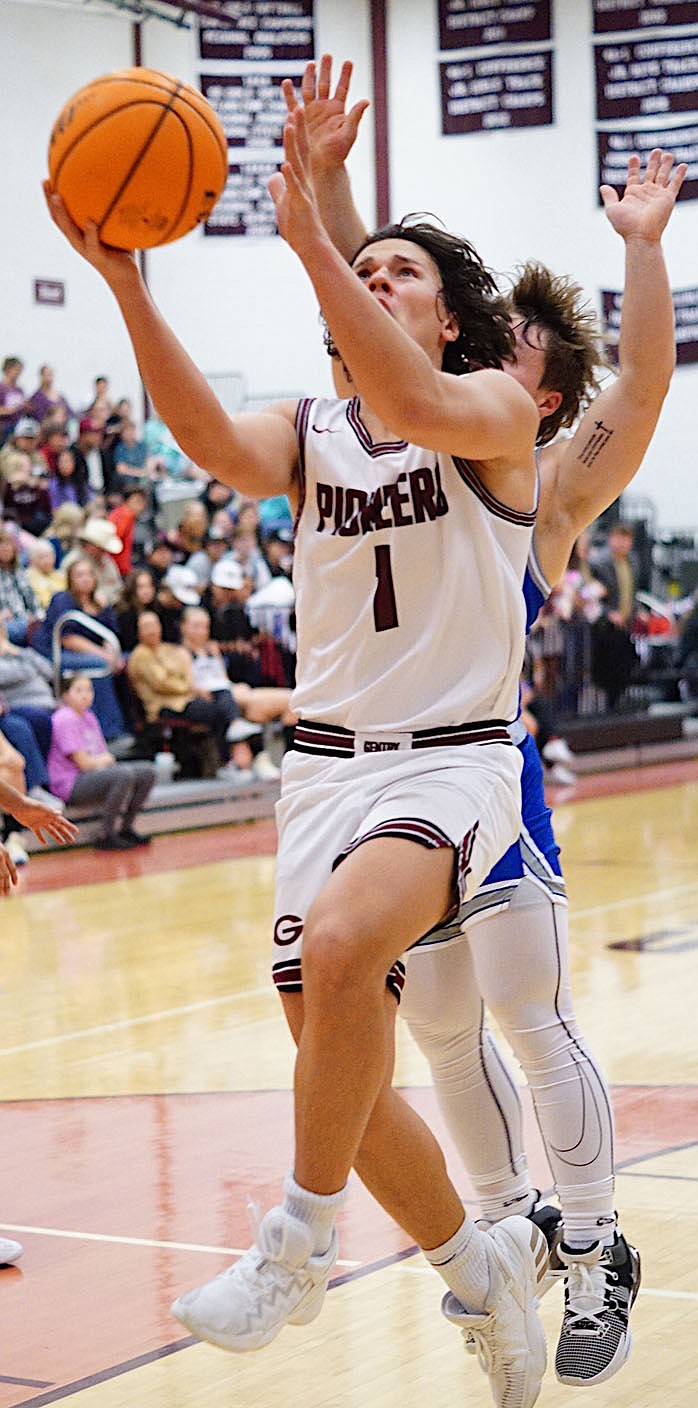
[648,202]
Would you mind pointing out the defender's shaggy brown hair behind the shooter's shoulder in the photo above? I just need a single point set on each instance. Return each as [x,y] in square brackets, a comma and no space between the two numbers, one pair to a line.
[573,344]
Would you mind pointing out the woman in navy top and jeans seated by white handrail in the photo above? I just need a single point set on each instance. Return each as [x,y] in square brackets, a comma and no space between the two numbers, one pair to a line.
[80,648]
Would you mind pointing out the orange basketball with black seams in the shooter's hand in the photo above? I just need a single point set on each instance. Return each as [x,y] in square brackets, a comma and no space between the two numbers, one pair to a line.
[140,154]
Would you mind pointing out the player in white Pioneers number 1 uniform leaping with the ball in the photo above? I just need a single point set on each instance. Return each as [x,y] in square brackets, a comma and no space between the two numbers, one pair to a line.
[405,786]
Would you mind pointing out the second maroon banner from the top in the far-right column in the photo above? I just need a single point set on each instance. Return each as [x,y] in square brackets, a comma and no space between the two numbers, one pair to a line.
[641,78]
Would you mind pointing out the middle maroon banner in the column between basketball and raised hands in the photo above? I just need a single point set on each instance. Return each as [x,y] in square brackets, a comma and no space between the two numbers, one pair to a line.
[251,106]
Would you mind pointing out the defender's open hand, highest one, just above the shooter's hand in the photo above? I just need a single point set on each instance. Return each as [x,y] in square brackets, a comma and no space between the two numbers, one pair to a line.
[330,127]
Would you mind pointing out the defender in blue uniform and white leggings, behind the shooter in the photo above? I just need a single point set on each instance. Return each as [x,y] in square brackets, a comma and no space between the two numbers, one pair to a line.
[514,950]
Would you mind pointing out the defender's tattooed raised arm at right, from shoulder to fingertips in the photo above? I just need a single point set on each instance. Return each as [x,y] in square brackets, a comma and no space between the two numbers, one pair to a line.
[585,475]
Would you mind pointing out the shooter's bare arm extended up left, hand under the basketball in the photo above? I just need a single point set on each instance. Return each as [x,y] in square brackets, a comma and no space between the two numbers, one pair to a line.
[255,454]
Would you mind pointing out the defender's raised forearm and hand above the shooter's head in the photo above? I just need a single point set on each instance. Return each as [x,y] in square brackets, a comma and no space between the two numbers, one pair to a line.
[331,133]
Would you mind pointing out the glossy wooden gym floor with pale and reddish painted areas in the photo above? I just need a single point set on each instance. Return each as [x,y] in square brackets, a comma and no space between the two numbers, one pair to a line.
[146,1082]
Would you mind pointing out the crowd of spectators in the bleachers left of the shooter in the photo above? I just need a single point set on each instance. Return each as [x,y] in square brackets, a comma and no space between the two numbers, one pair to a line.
[167,593]
